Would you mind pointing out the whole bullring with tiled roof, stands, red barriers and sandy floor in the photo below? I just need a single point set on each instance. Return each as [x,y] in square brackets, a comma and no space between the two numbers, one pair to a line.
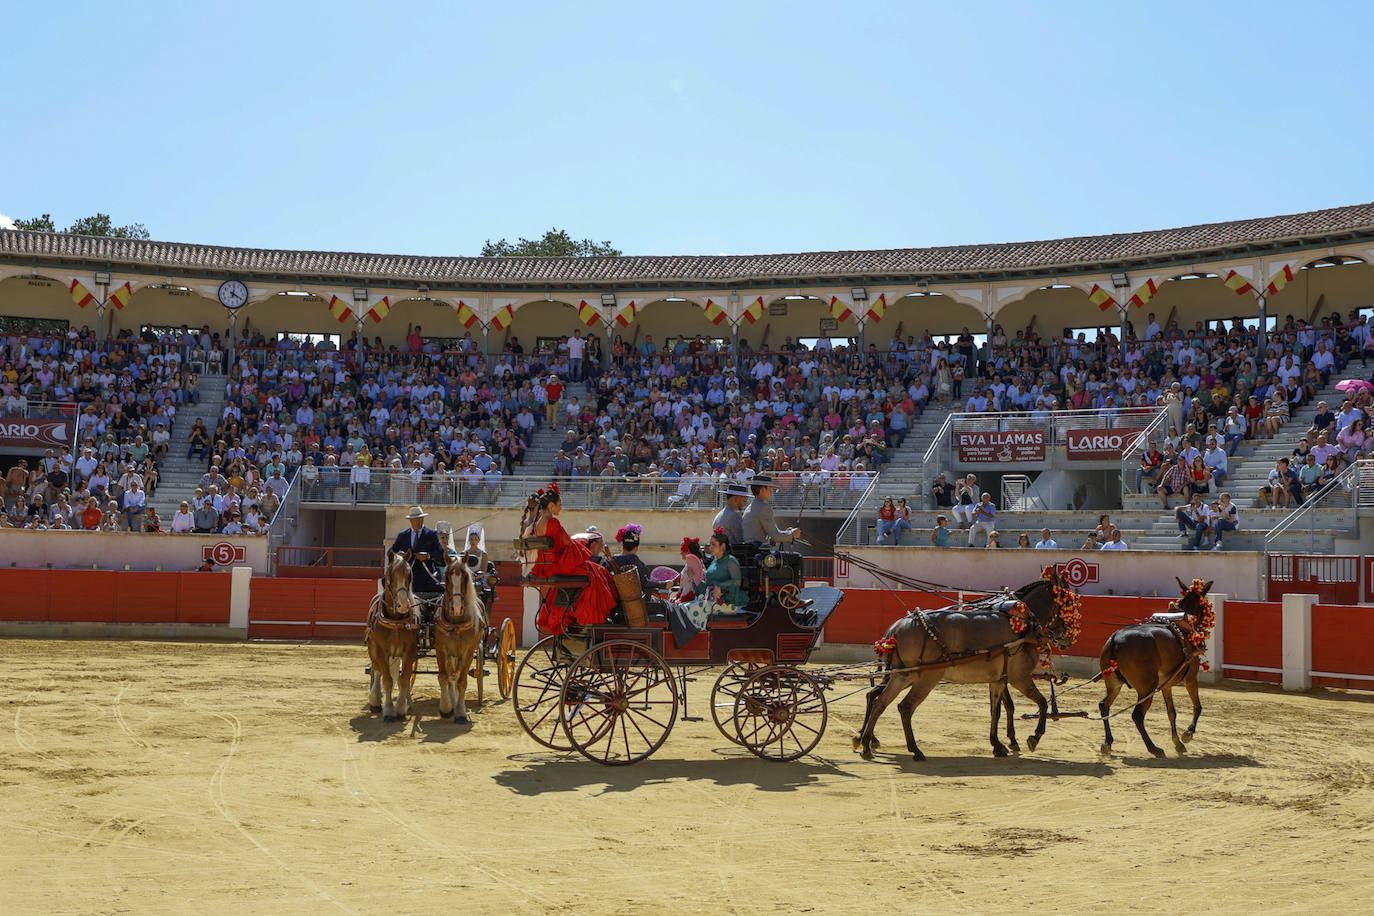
[203,740]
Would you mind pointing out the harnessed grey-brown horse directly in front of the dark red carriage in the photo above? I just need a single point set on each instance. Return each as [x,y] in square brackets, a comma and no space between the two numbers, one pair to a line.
[976,643]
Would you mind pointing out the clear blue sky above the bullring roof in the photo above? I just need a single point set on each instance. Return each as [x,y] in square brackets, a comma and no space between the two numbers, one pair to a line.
[681,128]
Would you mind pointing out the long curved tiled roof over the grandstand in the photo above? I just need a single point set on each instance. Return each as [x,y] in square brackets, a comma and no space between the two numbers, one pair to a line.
[1083,253]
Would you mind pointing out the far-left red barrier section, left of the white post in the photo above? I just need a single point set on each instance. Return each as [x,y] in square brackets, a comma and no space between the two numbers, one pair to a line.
[109,597]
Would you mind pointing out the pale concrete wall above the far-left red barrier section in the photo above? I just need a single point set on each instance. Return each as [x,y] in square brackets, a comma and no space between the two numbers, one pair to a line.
[120,550]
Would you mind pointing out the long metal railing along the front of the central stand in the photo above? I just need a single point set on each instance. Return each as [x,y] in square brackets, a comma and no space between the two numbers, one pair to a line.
[822,492]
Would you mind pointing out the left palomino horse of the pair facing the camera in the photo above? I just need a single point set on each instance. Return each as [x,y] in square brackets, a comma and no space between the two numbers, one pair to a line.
[394,641]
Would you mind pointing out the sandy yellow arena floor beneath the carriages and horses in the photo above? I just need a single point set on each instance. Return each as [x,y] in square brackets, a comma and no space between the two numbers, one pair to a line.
[178,778]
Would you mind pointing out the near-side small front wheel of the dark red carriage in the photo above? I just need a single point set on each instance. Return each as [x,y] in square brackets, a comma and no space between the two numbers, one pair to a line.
[781,713]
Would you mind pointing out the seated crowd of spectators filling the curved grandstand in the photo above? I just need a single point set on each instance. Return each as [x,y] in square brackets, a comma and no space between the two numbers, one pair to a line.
[443,411]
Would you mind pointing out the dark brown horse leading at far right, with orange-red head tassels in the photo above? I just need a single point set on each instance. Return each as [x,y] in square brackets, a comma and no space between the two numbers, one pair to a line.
[1159,656]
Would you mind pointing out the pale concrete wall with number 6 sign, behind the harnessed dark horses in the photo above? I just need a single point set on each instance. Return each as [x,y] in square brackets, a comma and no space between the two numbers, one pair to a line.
[1118,573]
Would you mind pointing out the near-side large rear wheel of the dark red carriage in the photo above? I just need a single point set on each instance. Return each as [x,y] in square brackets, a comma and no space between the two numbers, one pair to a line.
[619,702]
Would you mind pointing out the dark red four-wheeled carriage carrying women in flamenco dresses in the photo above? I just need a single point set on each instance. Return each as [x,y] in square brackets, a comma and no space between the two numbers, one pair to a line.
[613,691]
